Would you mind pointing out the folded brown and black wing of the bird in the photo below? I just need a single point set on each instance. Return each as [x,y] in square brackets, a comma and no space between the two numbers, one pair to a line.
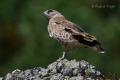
[80,35]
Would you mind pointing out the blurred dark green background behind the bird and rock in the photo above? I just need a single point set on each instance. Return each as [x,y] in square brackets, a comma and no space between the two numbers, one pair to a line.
[24,40]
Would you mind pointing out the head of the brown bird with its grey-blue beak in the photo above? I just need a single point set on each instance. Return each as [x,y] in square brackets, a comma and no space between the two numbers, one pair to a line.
[51,13]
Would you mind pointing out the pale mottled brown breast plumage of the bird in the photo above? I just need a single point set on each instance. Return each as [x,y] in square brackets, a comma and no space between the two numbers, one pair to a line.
[57,29]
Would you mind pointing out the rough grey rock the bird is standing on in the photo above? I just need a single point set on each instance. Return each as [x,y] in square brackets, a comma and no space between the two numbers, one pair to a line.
[58,70]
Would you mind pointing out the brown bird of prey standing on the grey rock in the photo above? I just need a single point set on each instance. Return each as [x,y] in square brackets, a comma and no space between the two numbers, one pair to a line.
[69,34]
